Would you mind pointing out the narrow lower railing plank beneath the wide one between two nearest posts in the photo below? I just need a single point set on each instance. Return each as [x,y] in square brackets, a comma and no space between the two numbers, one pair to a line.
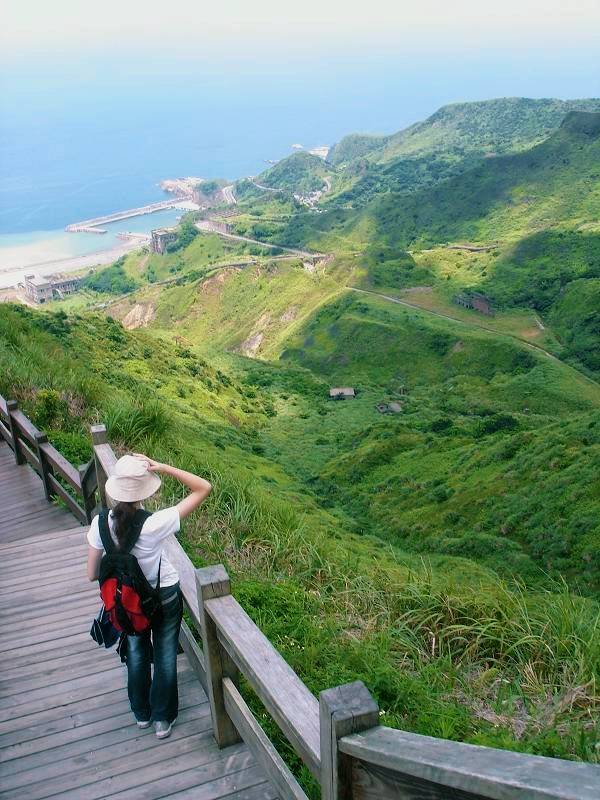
[259,743]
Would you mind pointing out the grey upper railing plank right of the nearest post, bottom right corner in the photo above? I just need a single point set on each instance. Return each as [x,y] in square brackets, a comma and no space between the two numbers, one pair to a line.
[480,771]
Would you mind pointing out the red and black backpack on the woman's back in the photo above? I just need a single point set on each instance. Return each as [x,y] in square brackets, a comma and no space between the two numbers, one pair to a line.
[132,604]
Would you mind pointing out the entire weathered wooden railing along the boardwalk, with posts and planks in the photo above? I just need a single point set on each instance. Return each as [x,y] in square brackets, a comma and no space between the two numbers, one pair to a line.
[337,736]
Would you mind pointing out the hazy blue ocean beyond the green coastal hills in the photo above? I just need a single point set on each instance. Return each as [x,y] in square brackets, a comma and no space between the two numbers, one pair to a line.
[91,138]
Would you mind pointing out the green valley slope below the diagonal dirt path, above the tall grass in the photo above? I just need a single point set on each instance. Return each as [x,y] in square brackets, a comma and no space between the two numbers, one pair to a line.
[439,477]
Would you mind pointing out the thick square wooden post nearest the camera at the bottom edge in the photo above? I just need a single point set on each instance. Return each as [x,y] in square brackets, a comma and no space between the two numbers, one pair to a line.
[343,710]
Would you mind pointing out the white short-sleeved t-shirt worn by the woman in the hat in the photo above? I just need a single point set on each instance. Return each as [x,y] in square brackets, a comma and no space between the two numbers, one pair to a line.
[148,548]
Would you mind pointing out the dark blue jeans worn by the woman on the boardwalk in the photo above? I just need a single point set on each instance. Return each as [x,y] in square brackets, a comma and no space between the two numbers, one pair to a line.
[155,696]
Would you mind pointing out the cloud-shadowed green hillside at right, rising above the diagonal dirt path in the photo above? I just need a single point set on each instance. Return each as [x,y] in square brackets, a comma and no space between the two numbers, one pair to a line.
[534,215]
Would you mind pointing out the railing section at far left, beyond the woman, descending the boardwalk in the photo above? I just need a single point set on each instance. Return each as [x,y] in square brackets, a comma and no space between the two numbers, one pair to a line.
[75,487]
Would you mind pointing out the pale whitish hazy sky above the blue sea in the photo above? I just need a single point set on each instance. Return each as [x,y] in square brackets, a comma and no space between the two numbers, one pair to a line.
[244,26]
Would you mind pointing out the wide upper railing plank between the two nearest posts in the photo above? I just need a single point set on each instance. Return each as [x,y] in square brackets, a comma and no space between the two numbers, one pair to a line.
[286,698]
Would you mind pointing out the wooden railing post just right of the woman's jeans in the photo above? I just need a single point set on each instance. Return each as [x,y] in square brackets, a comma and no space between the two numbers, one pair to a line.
[214,582]
